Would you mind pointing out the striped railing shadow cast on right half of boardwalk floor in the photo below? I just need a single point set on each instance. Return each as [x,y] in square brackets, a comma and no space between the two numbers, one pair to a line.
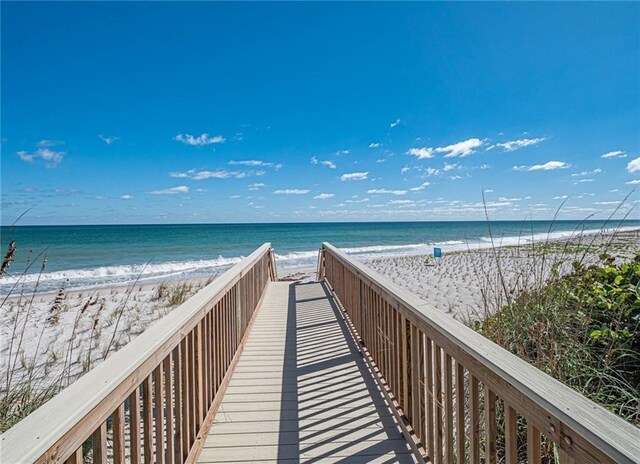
[342,414]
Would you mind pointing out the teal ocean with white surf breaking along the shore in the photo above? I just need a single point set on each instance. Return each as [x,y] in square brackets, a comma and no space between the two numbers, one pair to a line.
[86,256]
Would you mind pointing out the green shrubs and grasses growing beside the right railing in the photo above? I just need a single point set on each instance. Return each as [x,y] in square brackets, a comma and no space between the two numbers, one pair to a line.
[582,329]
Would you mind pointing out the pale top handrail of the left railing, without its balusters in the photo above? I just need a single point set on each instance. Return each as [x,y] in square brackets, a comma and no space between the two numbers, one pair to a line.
[56,430]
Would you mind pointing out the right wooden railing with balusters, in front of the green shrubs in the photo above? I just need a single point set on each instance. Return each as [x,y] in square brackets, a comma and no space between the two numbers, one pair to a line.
[461,397]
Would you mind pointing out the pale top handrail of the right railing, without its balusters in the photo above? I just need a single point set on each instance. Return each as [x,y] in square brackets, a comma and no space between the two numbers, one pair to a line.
[583,430]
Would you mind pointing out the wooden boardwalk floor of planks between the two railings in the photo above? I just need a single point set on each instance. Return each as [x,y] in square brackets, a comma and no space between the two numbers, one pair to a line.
[301,391]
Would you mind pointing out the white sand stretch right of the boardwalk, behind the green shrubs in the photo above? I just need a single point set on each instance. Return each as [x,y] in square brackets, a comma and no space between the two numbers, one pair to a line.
[467,284]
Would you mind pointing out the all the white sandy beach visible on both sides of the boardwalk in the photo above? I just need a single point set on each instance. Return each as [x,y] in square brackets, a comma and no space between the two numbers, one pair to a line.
[54,337]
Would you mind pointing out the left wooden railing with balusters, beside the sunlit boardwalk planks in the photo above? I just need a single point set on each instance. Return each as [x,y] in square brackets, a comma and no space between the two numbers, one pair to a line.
[153,400]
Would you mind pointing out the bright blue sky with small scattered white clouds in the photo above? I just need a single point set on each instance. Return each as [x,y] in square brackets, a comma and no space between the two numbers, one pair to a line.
[213,112]
